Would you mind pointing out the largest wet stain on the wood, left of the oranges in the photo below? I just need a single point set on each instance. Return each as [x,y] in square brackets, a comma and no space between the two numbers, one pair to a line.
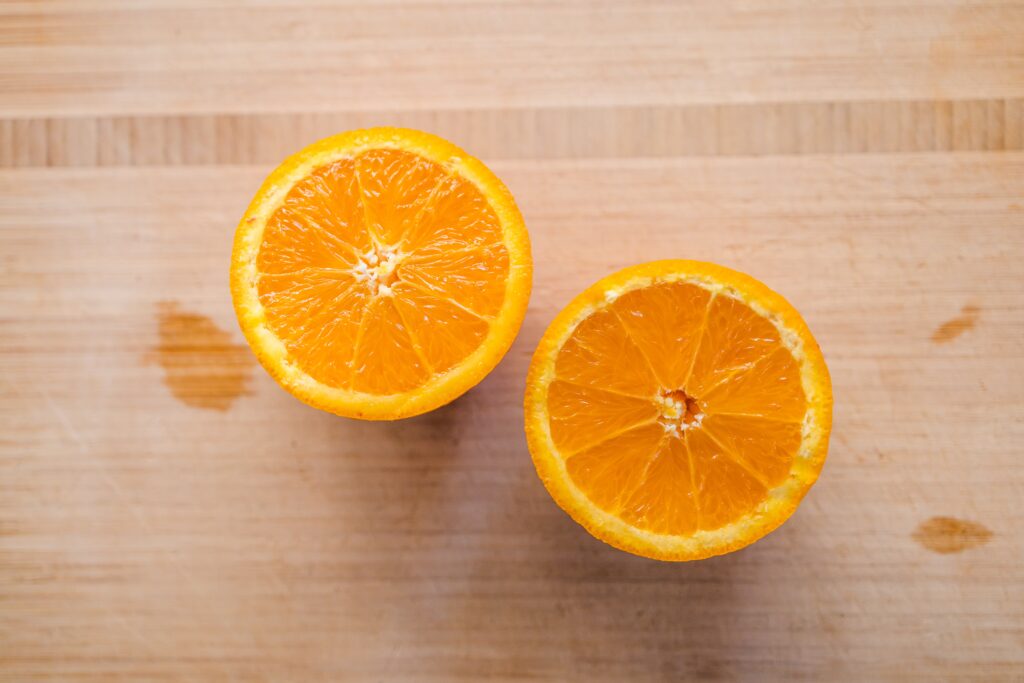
[203,368]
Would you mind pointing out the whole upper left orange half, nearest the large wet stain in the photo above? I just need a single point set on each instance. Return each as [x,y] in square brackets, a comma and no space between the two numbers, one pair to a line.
[380,274]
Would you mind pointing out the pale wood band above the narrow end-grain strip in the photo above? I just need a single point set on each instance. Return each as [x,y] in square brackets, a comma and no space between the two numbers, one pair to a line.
[119,58]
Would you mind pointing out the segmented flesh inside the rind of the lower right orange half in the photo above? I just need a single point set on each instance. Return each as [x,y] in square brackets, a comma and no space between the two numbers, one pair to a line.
[675,409]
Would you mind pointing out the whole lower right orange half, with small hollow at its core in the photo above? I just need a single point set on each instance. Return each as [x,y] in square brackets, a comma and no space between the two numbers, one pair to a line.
[678,410]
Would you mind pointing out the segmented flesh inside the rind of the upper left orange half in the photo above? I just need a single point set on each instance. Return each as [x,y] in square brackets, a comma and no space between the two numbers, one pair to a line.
[382,271]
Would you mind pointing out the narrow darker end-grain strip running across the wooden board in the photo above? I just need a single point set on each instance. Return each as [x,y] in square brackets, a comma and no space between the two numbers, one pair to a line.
[714,131]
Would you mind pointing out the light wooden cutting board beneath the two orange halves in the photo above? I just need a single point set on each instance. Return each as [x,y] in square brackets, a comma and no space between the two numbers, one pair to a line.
[168,514]
